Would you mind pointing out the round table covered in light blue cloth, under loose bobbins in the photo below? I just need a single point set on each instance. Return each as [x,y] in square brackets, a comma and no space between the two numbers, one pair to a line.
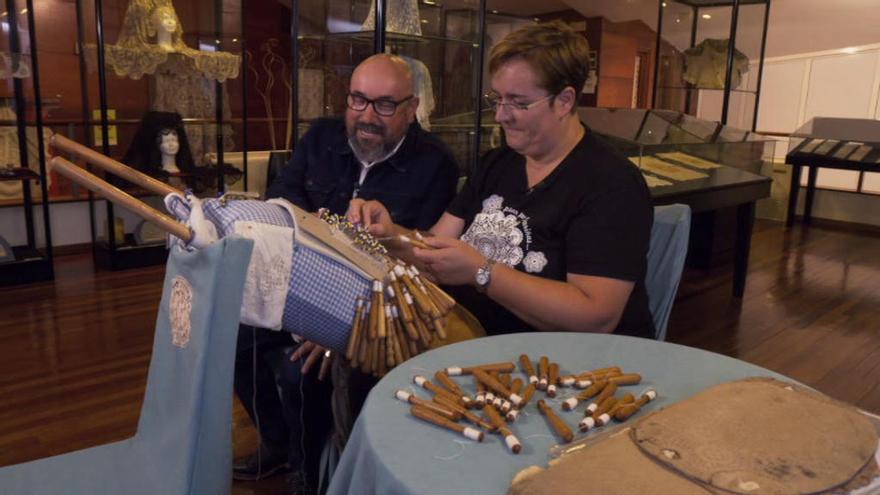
[391,452]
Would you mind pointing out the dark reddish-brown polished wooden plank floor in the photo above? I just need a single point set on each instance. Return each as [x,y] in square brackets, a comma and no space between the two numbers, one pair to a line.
[74,353]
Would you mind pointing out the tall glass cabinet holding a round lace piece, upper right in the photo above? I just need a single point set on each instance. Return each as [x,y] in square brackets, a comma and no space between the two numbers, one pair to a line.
[711,58]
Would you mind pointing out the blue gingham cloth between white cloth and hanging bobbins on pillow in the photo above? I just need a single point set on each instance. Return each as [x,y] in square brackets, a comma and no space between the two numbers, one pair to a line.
[322,298]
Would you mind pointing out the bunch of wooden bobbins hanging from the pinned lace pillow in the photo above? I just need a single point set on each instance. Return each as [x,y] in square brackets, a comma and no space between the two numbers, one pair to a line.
[404,314]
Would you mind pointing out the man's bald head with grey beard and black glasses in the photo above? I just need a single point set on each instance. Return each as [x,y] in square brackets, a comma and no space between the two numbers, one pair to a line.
[385,78]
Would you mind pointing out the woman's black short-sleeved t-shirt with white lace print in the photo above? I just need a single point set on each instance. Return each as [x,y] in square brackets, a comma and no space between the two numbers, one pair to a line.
[591,216]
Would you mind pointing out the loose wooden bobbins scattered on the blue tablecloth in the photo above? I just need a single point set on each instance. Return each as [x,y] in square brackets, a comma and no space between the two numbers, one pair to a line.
[502,397]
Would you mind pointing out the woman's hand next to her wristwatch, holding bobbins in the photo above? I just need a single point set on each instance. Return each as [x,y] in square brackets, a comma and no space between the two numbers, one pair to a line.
[451,262]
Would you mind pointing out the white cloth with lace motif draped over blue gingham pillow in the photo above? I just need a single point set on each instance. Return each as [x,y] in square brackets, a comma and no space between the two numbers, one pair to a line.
[268,276]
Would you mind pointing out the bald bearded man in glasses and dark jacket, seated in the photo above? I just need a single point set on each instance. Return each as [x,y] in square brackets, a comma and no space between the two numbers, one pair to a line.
[377,152]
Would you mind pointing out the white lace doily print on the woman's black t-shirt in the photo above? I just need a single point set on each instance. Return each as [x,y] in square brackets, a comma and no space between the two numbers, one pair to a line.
[499,232]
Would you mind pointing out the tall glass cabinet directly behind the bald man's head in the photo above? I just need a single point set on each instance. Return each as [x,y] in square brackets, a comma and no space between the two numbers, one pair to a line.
[441,40]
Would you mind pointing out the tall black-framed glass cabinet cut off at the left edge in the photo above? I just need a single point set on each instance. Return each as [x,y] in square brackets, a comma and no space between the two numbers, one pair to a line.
[25,233]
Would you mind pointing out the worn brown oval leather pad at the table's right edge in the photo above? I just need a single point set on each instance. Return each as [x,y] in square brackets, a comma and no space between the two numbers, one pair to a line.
[759,436]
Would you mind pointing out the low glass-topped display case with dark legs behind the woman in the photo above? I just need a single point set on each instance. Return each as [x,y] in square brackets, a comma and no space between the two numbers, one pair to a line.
[719,171]
